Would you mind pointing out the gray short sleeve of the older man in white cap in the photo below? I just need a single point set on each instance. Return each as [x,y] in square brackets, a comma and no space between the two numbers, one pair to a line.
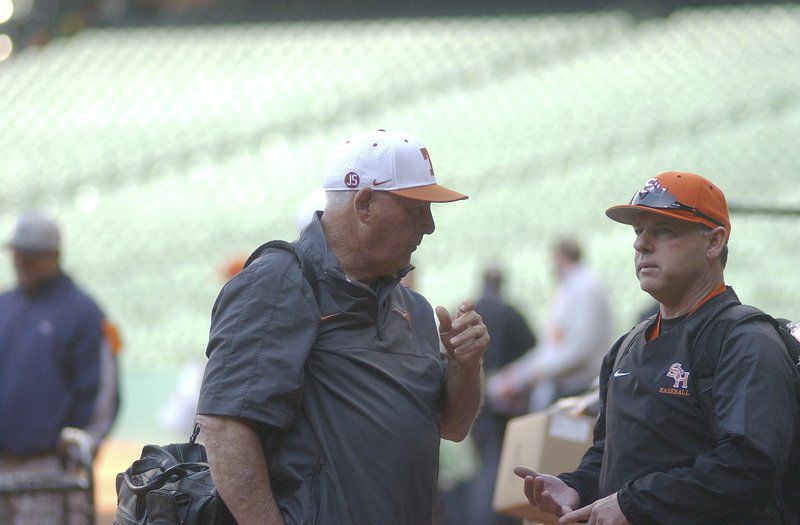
[263,326]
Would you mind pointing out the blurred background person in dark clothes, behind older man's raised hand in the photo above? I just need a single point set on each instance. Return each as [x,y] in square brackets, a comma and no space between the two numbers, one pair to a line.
[470,502]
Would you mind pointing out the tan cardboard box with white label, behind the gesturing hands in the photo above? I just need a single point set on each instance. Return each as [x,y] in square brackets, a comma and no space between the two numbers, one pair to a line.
[547,442]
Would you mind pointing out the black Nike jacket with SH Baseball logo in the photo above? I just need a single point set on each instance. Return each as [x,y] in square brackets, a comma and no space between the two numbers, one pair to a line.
[655,447]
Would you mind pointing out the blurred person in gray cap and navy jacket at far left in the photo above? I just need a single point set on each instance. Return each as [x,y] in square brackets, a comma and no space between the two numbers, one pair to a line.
[52,350]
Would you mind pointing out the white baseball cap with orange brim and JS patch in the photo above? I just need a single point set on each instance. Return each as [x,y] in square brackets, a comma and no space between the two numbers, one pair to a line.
[390,161]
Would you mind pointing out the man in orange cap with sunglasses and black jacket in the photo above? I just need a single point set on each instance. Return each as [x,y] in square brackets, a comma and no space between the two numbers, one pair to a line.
[699,413]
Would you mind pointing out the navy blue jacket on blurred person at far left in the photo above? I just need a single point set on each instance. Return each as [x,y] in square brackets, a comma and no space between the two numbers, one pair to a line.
[49,364]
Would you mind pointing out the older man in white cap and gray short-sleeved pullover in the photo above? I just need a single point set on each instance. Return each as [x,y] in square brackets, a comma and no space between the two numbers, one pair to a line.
[325,394]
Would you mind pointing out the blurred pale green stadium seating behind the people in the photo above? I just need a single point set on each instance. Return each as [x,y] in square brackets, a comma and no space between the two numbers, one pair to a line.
[169,136]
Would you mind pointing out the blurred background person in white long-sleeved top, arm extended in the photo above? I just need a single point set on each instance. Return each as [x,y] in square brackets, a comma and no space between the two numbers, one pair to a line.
[579,330]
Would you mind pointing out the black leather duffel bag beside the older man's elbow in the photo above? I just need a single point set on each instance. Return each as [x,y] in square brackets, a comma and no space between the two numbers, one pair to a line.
[170,485]
